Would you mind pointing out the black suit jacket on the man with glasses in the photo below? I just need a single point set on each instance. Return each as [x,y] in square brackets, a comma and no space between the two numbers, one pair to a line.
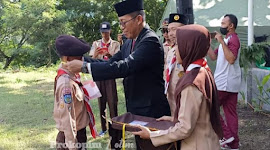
[142,71]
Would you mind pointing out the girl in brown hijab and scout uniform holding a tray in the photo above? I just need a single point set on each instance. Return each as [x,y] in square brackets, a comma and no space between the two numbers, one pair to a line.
[196,118]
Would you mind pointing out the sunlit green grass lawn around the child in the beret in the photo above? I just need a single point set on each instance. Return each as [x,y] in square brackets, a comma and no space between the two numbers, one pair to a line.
[26,107]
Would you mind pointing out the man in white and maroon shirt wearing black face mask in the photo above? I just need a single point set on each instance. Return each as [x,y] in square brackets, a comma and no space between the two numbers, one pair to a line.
[228,78]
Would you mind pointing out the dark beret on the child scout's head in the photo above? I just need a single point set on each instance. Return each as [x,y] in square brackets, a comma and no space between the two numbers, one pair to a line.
[67,45]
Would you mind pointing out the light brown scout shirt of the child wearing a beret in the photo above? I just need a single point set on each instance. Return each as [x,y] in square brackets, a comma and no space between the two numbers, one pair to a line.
[72,117]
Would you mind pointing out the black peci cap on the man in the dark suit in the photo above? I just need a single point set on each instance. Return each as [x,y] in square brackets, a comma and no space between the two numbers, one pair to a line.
[128,6]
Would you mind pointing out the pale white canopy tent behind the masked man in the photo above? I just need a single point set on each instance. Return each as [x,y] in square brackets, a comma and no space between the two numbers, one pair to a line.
[209,13]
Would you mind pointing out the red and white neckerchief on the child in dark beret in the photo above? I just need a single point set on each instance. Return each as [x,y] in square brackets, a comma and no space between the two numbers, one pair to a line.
[92,125]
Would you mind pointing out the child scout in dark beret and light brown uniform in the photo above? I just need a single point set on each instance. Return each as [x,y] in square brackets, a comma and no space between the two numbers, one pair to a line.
[71,113]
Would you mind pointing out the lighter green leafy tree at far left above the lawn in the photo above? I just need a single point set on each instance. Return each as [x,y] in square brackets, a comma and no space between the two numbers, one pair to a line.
[28,25]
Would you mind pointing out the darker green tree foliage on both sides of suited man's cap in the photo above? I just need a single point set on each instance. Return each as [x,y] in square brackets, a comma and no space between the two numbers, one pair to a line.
[85,16]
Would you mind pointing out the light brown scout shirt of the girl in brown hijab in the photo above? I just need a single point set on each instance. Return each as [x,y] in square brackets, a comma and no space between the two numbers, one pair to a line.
[194,127]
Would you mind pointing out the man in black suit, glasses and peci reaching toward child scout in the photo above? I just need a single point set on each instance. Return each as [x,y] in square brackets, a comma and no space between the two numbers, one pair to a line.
[140,62]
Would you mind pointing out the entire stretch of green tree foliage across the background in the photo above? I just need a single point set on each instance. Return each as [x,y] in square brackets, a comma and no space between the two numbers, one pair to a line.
[28,28]
